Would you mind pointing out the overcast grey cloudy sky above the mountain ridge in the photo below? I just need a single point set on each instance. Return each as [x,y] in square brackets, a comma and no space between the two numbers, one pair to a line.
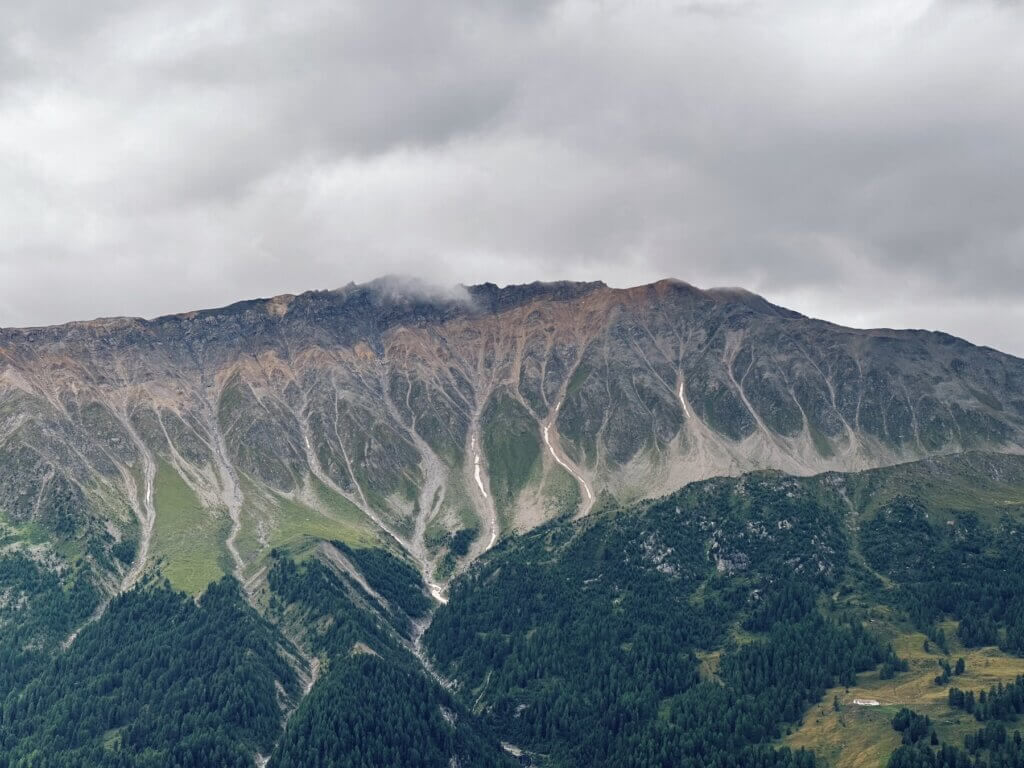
[860,161]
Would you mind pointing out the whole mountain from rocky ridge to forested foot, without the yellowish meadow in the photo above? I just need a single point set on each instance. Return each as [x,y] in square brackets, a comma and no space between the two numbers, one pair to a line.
[326,472]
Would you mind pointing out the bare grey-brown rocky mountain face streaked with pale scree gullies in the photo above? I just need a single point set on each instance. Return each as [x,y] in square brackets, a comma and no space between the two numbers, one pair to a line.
[435,424]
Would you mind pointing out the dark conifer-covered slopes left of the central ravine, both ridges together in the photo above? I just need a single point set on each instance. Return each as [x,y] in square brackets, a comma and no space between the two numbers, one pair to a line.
[163,681]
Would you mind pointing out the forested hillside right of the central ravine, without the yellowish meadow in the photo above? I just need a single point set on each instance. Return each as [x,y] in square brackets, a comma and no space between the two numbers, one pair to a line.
[702,628]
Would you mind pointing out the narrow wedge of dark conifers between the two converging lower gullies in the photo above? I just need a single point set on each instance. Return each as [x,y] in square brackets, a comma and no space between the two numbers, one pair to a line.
[375,706]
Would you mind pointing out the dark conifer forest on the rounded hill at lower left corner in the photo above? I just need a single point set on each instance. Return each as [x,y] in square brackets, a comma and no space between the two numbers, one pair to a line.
[177,684]
